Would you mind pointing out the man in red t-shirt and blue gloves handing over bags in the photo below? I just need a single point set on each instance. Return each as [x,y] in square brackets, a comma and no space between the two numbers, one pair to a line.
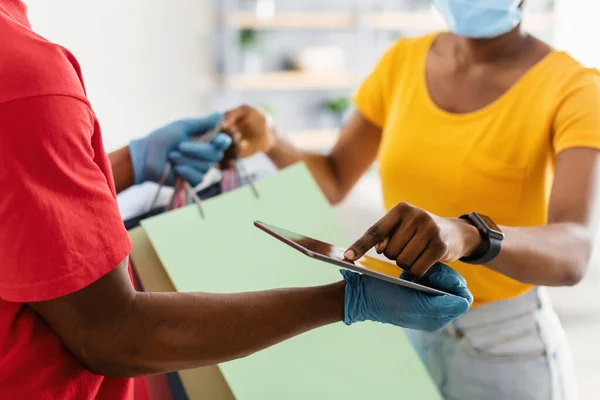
[72,325]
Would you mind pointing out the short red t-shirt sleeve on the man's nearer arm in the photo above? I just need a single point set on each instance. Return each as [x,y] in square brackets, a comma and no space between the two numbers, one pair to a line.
[60,225]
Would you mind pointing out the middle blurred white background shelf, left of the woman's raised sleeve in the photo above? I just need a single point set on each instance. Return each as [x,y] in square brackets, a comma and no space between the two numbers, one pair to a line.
[294,80]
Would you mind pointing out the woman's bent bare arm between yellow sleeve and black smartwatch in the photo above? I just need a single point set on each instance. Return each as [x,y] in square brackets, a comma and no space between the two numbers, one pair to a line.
[558,254]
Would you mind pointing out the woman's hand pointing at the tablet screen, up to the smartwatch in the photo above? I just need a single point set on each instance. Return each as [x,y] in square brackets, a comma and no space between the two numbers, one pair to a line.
[417,239]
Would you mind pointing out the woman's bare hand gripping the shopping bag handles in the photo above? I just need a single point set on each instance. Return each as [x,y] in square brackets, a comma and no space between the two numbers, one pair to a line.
[252,130]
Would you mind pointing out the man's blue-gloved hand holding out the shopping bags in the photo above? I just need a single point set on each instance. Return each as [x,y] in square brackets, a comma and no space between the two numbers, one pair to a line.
[173,142]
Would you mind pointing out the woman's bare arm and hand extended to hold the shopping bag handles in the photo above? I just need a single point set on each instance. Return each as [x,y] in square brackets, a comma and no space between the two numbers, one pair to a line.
[336,172]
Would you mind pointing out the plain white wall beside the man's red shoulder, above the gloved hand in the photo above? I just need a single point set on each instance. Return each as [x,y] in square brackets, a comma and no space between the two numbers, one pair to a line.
[141,59]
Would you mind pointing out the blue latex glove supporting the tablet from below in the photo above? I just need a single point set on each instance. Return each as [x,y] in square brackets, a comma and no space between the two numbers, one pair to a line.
[372,299]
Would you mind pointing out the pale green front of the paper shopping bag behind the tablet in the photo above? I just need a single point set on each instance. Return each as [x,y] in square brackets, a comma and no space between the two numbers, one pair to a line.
[225,253]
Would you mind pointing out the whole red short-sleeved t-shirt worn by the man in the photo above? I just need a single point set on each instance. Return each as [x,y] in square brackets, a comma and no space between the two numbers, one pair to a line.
[60,228]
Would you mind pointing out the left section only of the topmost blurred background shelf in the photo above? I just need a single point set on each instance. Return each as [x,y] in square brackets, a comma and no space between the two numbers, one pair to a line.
[296,20]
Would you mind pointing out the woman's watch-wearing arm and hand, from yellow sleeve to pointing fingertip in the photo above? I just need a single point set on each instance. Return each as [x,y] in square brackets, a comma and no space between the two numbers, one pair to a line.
[556,254]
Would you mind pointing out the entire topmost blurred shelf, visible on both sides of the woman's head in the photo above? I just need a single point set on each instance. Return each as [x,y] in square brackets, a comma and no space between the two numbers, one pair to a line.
[382,21]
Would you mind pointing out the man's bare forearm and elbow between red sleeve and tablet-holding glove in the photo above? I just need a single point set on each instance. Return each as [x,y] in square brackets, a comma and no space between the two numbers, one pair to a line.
[115,331]
